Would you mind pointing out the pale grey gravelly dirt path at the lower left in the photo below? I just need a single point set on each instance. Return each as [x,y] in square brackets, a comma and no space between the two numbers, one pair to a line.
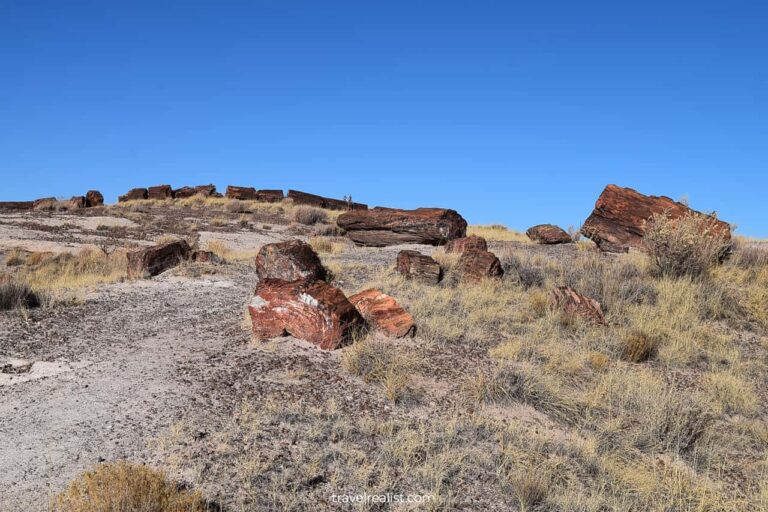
[119,379]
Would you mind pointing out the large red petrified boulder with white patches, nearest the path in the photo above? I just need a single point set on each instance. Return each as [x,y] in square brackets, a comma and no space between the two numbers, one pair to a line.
[313,311]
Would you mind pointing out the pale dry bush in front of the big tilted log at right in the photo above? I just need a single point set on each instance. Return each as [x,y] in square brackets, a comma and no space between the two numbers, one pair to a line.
[685,246]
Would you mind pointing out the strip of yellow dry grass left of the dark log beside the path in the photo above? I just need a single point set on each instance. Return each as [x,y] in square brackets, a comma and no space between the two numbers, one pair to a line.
[88,267]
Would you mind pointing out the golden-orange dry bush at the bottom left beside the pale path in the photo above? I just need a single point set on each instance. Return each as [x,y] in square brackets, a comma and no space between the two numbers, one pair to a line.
[125,487]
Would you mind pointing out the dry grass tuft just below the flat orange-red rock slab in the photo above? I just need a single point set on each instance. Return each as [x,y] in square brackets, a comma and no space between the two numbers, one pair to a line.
[379,360]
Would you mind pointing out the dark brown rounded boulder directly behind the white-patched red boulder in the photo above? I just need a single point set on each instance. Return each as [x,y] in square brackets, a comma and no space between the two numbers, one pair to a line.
[289,261]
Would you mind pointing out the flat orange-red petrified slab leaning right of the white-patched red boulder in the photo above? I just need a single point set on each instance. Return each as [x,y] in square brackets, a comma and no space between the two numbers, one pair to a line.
[383,313]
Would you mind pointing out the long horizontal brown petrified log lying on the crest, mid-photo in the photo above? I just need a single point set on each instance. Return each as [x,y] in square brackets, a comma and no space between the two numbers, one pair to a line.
[379,227]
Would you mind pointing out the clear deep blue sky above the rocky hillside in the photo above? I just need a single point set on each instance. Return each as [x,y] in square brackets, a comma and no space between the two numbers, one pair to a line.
[510,112]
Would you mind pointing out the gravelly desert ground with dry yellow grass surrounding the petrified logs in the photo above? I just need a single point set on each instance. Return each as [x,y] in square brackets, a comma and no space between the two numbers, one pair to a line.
[499,402]
